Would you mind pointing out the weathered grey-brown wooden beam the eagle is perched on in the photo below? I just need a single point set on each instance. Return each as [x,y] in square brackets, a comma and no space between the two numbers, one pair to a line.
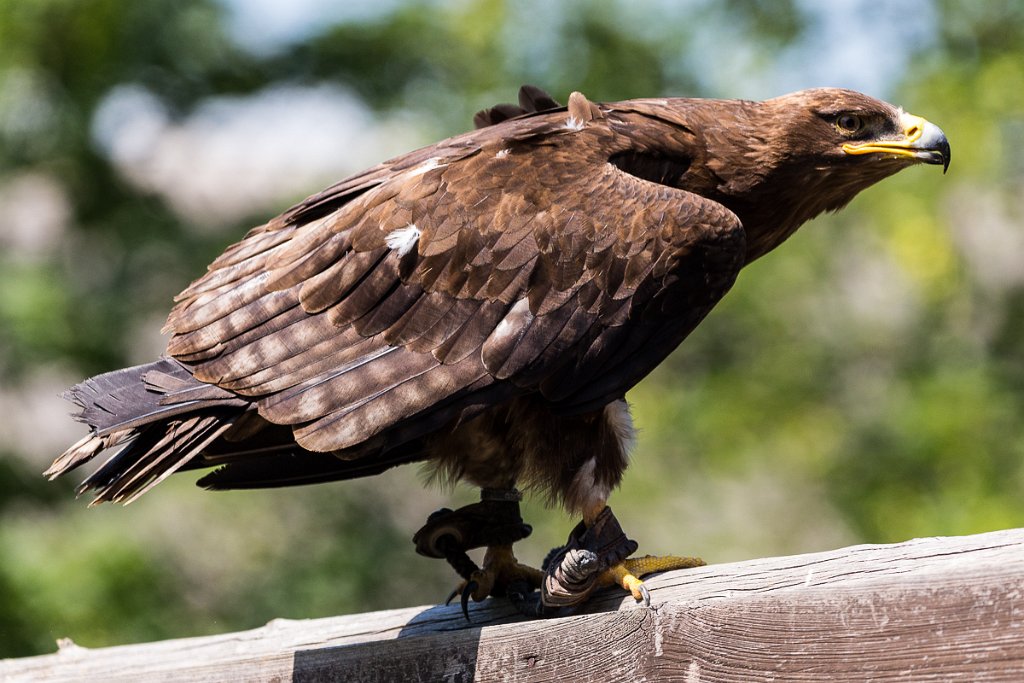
[930,610]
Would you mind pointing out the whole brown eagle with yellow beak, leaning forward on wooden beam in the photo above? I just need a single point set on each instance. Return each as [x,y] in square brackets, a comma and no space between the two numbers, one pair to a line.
[483,306]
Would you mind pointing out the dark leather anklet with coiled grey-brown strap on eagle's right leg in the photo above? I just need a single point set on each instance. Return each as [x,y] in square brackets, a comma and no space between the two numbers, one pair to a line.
[576,570]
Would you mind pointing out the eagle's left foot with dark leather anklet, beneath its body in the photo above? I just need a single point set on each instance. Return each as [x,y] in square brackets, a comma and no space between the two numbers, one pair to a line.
[495,524]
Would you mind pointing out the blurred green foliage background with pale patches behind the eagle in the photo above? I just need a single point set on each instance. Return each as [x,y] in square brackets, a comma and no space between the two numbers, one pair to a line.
[865,383]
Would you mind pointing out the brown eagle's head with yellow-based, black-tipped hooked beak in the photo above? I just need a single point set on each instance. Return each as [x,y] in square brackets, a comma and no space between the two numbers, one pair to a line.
[816,150]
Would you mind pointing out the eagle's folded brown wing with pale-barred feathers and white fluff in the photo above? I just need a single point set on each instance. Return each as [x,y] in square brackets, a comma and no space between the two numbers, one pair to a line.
[516,260]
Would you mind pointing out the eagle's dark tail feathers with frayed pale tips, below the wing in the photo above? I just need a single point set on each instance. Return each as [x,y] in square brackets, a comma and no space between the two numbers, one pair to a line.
[166,420]
